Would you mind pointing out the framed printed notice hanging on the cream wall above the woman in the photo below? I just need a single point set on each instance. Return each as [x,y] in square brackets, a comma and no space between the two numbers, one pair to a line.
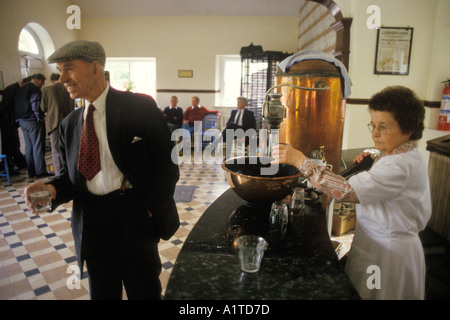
[393,53]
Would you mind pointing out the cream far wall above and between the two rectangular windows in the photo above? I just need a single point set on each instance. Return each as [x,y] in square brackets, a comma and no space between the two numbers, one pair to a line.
[188,43]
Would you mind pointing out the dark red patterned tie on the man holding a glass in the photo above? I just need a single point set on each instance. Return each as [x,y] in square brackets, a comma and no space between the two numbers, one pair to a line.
[89,154]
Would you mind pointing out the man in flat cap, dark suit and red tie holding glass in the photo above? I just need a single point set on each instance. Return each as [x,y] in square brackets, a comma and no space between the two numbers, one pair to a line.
[117,169]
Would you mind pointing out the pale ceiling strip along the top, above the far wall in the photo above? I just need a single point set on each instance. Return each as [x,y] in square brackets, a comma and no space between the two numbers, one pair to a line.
[130,8]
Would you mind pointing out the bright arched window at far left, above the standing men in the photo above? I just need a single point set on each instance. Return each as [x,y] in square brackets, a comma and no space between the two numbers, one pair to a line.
[31,56]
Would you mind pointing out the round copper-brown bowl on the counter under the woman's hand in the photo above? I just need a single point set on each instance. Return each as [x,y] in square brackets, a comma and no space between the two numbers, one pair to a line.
[244,177]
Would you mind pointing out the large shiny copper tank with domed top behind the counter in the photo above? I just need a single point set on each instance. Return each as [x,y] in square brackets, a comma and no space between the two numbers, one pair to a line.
[313,119]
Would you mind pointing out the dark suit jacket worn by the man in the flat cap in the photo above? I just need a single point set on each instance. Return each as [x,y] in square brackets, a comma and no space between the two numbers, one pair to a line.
[140,145]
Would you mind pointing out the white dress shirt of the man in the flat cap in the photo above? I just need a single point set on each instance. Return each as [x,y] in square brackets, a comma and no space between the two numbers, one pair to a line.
[110,177]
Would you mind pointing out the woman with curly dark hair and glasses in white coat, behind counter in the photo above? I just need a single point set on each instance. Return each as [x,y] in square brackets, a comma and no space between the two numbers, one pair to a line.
[393,199]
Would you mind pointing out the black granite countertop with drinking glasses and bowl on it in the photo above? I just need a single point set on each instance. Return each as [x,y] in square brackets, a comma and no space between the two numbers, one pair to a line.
[301,264]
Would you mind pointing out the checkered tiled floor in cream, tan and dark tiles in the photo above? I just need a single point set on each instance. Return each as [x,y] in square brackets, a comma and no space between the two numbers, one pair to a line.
[37,254]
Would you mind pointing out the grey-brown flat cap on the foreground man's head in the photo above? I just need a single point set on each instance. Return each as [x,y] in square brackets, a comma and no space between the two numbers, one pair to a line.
[88,51]
